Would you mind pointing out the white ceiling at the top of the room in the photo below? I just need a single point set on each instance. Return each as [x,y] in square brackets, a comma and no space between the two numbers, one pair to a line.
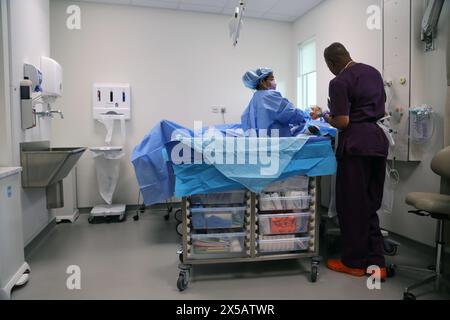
[280,10]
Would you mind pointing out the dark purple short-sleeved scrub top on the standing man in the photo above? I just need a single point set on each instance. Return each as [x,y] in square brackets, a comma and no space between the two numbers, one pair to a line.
[358,92]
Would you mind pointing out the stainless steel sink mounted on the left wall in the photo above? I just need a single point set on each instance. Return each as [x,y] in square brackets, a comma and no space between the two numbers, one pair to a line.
[45,167]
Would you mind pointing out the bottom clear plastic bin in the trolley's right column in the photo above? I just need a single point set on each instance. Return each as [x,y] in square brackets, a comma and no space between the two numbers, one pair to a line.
[283,244]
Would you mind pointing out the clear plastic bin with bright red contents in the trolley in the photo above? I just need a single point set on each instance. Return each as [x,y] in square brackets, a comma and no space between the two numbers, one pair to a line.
[284,223]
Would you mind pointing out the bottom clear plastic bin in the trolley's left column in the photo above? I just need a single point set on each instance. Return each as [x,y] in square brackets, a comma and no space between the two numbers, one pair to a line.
[218,244]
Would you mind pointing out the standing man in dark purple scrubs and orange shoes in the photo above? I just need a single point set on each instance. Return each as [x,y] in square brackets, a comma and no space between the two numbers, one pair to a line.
[356,102]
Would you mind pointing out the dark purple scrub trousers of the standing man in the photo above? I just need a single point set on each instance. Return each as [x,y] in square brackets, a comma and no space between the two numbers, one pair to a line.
[359,192]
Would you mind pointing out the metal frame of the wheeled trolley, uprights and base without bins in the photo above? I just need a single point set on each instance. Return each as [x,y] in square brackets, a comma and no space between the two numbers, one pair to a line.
[251,248]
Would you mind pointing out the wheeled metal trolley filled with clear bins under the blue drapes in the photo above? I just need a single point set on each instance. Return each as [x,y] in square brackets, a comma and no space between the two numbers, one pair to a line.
[284,228]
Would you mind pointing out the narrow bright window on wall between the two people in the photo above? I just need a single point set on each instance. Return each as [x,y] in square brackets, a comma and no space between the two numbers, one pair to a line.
[307,75]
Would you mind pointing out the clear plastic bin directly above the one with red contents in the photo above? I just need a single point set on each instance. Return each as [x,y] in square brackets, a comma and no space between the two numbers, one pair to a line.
[268,203]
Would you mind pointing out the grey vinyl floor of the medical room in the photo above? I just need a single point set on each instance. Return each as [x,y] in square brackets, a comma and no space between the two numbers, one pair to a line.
[138,260]
